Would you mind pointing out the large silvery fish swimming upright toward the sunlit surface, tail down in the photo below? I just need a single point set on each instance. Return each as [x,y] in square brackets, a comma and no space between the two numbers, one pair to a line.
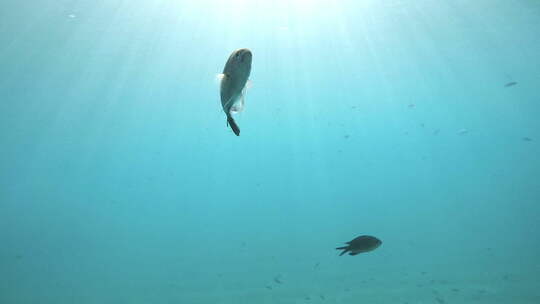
[233,84]
